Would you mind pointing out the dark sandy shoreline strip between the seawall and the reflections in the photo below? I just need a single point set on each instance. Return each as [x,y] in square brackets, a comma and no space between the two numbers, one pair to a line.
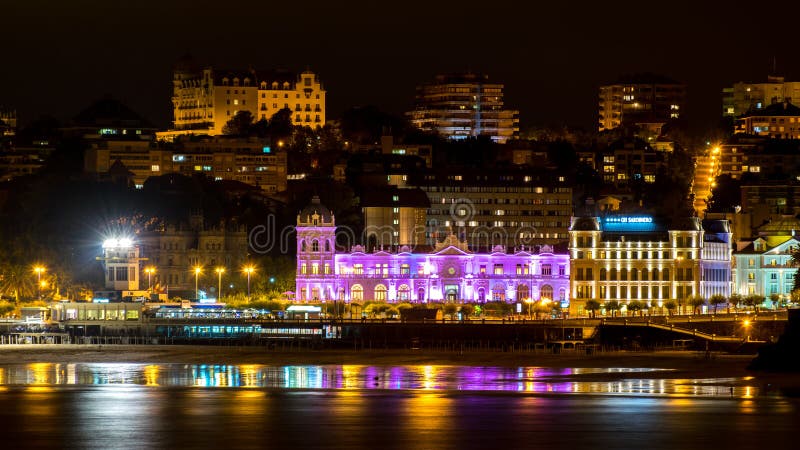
[726,369]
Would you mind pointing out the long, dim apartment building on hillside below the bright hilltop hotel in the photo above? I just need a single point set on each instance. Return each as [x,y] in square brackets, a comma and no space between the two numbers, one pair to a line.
[248,160]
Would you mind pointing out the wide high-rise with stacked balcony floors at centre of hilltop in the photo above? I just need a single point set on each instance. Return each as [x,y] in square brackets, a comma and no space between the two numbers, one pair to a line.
[458,106]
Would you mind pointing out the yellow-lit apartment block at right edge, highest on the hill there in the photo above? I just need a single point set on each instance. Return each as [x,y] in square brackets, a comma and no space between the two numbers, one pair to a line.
[743,97]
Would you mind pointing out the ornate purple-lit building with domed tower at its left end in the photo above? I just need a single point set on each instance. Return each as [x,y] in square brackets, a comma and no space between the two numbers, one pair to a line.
[450,272]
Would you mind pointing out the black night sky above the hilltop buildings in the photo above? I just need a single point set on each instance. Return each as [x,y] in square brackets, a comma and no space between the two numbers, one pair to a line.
[59,56]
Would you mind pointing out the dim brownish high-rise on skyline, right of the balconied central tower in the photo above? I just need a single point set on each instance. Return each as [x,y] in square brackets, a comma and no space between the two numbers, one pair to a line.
[644,100]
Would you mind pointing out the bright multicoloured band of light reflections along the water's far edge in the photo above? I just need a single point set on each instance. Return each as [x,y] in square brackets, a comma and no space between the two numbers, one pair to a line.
[540,380]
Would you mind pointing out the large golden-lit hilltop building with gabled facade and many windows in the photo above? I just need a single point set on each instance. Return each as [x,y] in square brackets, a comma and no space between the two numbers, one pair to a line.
[205,99]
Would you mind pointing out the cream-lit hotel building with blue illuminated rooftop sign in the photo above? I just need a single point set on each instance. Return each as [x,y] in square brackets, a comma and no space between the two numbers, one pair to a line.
[626,258]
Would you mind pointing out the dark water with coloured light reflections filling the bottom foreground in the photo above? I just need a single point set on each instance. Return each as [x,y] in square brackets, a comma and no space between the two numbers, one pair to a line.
[249,406]
